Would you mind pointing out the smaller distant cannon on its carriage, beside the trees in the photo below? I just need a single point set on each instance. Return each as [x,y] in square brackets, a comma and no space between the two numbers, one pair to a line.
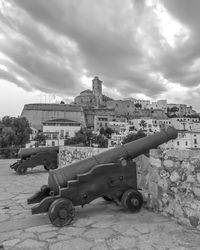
[32,157]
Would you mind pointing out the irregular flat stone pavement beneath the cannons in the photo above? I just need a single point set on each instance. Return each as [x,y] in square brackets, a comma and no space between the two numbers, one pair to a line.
[99,225]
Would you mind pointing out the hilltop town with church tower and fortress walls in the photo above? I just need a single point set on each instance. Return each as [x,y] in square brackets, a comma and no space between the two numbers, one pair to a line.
[94,110]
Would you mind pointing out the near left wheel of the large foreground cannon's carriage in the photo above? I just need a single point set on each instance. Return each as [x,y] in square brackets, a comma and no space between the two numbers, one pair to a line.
[61,212]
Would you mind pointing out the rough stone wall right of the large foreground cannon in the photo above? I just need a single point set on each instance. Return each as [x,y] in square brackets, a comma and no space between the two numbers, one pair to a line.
[170,182]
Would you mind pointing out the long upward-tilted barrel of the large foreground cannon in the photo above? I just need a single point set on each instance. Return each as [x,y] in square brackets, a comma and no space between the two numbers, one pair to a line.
[130,150]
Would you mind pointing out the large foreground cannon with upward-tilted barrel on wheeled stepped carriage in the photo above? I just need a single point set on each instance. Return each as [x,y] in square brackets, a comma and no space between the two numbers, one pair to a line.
[111,175]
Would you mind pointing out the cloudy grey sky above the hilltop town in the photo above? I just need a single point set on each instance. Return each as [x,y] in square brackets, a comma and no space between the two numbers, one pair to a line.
[51,50]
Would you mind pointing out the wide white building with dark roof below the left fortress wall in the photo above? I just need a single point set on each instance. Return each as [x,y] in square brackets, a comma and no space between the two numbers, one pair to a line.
[57,130]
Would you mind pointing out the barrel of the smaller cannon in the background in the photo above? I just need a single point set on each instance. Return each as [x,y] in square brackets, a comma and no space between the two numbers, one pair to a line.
[26,152]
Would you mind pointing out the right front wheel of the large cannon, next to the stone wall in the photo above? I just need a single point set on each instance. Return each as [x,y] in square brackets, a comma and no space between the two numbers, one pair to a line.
[132,200]
